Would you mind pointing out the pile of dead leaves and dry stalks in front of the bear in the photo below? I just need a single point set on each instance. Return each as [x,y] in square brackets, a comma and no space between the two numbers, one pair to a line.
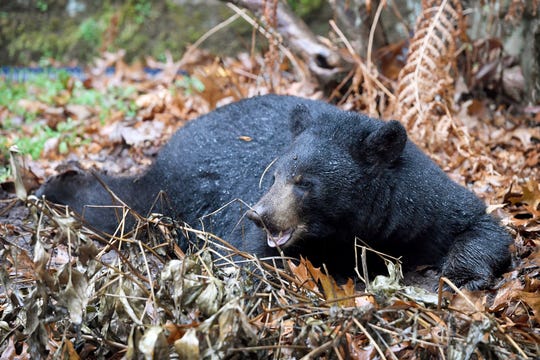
[78,294]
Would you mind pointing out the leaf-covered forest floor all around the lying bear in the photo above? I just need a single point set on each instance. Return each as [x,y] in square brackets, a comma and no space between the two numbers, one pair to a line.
[71,291]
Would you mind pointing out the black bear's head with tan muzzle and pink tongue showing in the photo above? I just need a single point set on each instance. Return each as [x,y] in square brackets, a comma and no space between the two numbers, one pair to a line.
[326,183]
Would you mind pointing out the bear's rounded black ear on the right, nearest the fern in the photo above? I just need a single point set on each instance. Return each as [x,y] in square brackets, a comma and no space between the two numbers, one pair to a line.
[385,144]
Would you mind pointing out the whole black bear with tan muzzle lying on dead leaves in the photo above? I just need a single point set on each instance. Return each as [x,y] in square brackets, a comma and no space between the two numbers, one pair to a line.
[337,176]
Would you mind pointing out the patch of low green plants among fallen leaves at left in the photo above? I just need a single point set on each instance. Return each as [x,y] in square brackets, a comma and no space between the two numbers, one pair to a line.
[57,91]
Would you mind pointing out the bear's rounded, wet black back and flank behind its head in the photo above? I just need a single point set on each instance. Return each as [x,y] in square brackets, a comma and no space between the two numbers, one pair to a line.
[222,156]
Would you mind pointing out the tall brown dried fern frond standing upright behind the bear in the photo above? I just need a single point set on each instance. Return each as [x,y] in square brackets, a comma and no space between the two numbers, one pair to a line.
[425,91]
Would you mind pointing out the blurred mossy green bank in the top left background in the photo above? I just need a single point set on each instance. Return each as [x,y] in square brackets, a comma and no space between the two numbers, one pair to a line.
[140,27]
